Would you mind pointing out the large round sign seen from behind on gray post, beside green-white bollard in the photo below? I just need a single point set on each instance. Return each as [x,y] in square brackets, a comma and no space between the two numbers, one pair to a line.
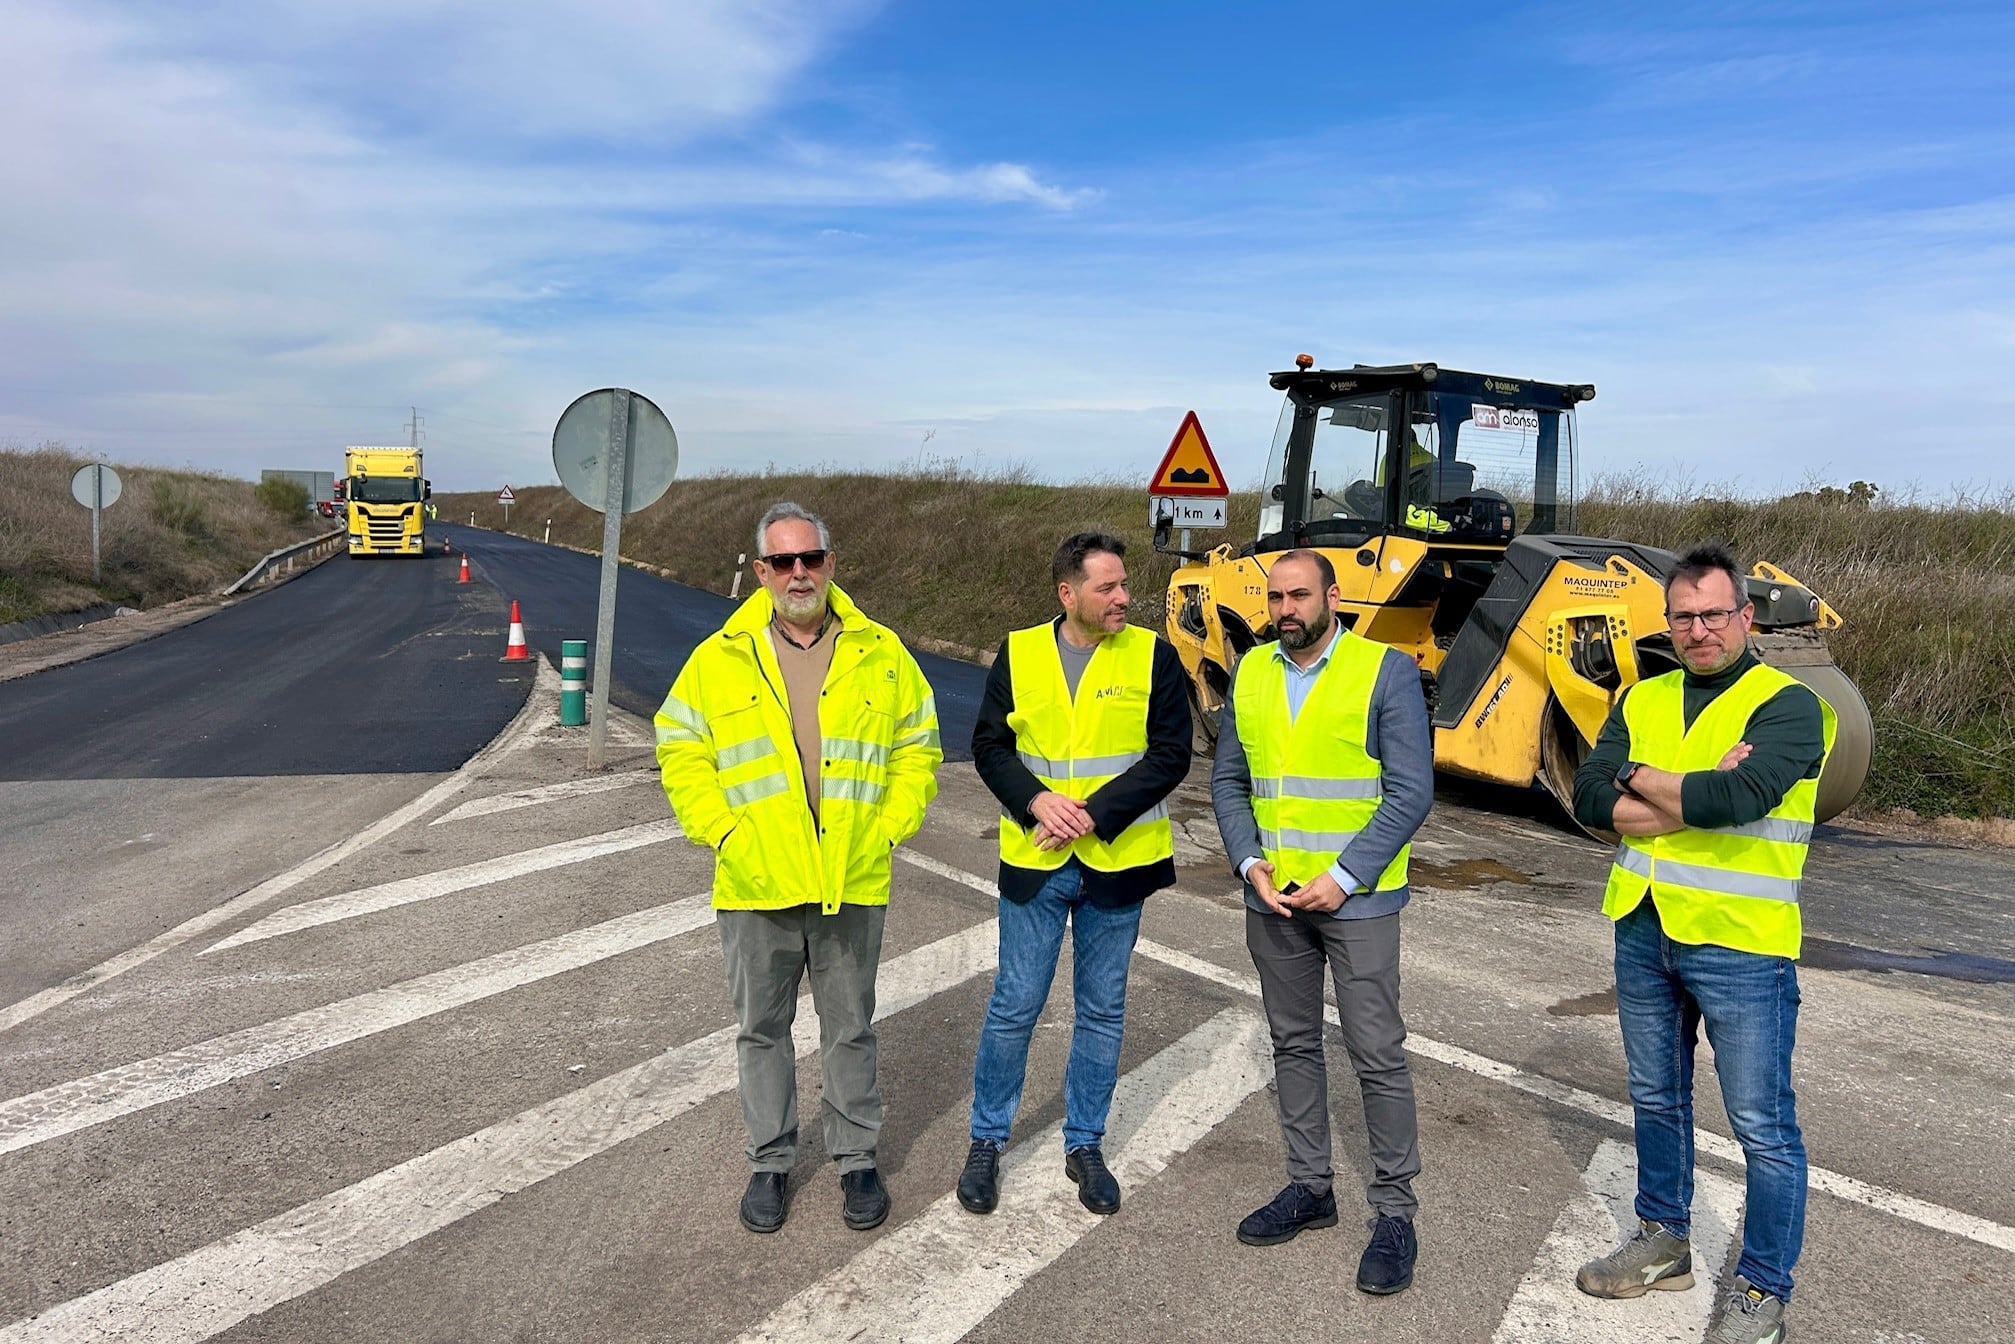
[618,454]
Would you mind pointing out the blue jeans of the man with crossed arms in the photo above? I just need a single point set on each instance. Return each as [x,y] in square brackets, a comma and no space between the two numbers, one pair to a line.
[1665,992]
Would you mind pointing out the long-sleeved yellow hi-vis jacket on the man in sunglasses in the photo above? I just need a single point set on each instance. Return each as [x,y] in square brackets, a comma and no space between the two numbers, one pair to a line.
[732,773]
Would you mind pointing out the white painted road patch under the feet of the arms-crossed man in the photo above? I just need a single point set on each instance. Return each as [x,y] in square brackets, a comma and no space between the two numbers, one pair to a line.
[1549,1309]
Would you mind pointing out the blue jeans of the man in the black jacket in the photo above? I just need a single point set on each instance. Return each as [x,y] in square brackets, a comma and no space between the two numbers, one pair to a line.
[1033,936]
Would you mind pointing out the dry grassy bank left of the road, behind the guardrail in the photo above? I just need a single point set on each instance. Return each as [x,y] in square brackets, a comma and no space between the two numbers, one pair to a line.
[170,535]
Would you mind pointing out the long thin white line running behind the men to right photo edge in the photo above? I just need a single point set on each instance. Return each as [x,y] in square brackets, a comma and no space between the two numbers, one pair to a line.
[1835,1184]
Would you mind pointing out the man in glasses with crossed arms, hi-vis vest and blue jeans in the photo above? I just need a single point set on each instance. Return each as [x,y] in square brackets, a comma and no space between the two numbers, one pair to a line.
[1712,777]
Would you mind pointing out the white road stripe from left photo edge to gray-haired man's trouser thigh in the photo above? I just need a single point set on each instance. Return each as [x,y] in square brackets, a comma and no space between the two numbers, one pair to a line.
[82,1103]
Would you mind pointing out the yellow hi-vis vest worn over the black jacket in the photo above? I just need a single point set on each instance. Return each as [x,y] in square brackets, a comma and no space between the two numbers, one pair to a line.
[1075,747]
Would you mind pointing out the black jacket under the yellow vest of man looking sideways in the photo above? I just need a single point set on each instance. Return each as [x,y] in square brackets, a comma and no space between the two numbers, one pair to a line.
[1117,803]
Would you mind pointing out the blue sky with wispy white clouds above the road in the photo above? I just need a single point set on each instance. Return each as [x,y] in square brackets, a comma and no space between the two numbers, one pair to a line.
[1780,239]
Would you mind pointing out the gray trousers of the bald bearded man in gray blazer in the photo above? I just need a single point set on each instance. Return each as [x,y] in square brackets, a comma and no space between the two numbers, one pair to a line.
[1363,956]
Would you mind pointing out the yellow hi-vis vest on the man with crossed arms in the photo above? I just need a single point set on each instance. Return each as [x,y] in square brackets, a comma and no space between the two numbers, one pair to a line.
[1732,886]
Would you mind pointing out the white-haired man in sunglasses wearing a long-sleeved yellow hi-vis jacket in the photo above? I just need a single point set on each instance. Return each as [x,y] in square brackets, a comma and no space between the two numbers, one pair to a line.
[801,745]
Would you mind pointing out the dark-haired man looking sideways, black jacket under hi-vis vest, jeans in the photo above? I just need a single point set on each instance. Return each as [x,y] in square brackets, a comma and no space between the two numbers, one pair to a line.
[1081,736]
